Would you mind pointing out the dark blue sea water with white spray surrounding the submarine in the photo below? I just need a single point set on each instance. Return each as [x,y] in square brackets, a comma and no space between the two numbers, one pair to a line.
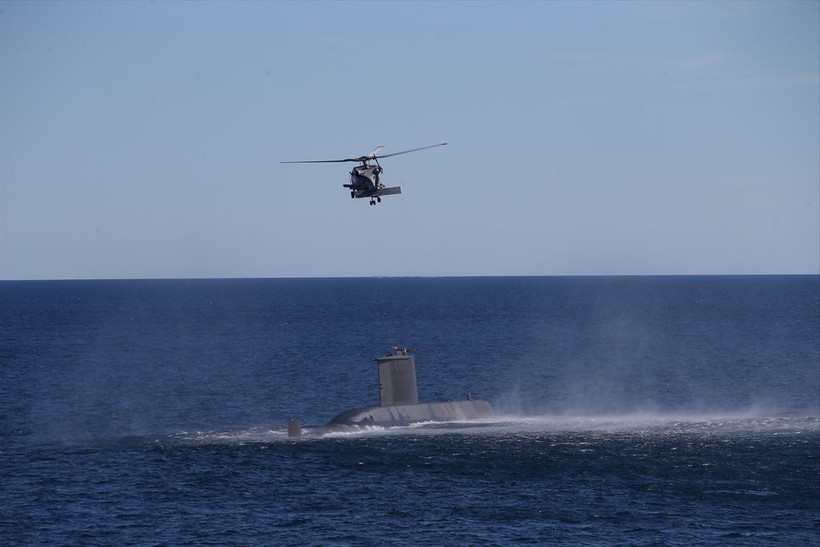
[632,411]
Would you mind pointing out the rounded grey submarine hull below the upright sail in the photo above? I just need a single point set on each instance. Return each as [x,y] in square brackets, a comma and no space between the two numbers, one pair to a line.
[402,415]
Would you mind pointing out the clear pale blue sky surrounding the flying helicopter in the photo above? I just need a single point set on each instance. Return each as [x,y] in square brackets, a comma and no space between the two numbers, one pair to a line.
[144,139]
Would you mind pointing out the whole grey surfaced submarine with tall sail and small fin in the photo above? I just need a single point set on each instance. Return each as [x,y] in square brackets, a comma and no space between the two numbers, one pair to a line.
[399,402]
